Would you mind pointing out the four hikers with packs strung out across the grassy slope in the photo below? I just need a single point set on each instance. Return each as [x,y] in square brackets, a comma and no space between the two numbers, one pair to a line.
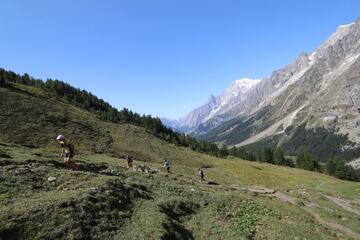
[68,152]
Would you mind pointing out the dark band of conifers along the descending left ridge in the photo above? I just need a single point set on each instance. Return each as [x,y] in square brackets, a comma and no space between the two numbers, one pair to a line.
[106,112]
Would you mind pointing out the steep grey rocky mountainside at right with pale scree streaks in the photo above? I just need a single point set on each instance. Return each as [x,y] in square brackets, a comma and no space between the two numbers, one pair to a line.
[318,92]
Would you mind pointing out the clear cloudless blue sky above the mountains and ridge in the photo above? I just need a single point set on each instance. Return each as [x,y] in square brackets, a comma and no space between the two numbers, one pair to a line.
[162,57]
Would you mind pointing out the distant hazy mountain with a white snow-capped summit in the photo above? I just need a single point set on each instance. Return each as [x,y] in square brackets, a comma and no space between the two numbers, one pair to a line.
[234,93]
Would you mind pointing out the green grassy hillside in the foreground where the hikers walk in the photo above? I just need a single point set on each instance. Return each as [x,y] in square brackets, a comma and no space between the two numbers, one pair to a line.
[41,199]
